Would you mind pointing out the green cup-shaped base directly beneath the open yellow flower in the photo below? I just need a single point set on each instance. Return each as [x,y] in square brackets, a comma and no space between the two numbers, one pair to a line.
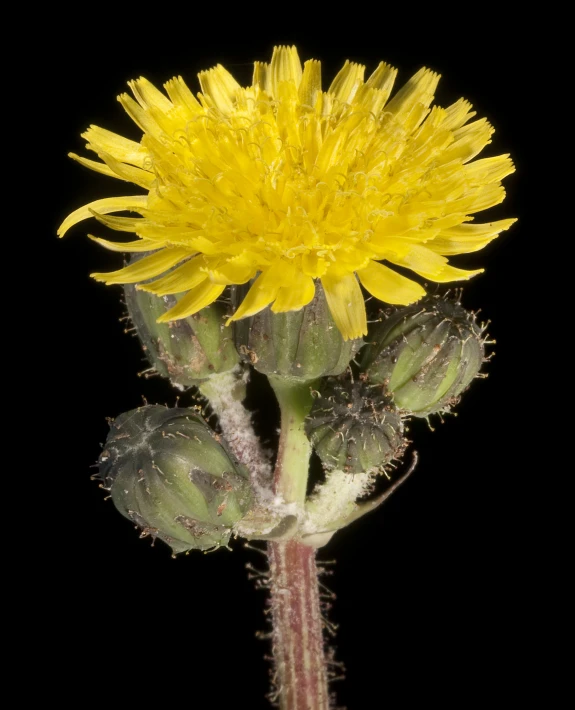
[304,344]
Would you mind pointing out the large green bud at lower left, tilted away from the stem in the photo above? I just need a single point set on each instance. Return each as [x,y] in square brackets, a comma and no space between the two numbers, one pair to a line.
[168,473]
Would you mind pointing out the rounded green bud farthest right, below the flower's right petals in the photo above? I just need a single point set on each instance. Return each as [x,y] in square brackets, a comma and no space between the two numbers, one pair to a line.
[426,355]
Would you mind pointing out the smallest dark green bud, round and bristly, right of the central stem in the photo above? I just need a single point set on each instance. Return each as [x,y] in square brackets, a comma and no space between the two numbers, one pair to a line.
[354,427]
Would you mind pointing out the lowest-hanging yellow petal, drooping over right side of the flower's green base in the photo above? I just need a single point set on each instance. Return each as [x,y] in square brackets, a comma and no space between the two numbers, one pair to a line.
[345,301]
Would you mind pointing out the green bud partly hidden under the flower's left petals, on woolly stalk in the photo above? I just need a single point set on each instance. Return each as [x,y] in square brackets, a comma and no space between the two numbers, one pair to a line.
[188,350]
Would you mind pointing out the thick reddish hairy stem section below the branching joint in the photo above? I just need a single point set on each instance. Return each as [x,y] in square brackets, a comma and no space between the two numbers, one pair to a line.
[298,645]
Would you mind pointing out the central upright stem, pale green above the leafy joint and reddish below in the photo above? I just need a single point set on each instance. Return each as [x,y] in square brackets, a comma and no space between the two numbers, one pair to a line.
[298,645]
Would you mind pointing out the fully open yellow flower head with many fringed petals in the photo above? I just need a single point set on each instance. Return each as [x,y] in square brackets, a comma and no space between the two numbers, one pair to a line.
[289,183]
